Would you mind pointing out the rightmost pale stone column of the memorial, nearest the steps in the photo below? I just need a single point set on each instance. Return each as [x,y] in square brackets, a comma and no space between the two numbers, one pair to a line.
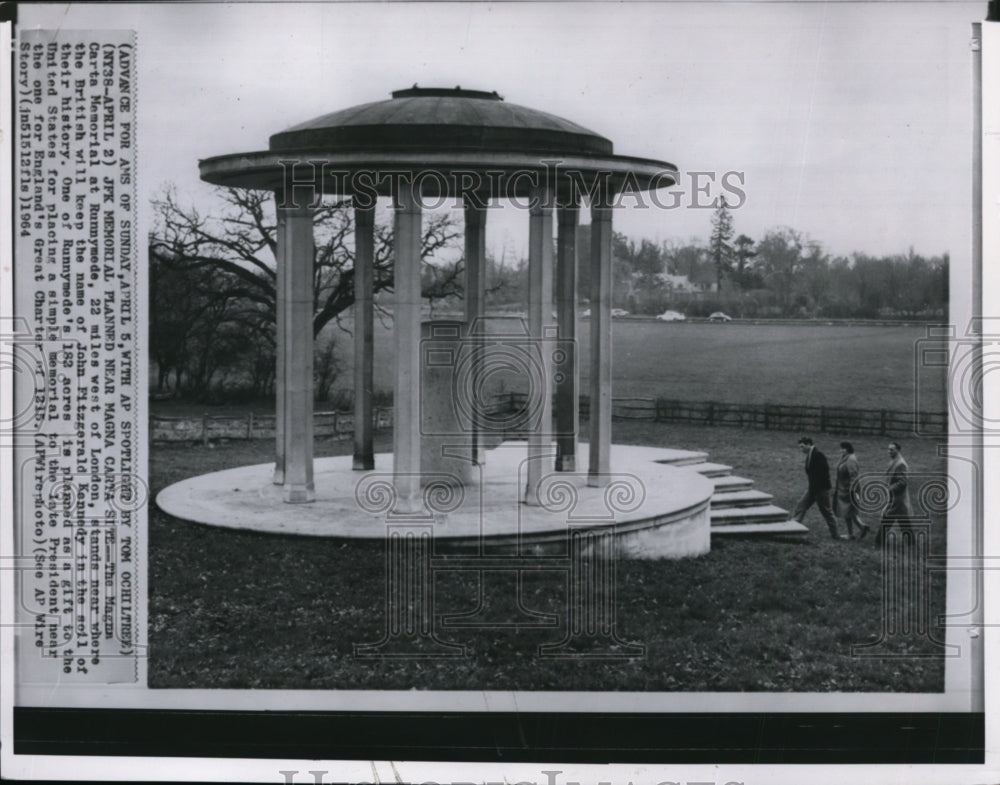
[600,339]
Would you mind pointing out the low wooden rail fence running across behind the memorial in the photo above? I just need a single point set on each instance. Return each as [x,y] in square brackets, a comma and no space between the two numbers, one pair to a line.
[769,416]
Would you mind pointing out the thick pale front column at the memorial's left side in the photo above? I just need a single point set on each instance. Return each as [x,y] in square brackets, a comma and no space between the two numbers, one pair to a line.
[295,329]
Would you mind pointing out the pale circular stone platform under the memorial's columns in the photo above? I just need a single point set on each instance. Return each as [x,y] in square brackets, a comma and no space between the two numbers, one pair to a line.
[656,510]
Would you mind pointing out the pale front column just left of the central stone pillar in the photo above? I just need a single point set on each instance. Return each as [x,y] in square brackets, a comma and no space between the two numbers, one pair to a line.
[406,343]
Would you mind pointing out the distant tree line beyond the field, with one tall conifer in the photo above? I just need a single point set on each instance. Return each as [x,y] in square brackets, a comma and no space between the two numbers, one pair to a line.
[784,274]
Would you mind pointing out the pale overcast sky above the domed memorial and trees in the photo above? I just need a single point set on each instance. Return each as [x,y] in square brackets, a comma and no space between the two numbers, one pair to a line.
[848,121]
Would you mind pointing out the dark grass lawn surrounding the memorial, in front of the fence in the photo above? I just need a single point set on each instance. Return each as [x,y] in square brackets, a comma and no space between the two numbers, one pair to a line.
[239,609]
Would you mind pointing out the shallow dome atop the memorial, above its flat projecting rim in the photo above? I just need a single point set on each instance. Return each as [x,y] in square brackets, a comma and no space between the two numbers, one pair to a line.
[441,119]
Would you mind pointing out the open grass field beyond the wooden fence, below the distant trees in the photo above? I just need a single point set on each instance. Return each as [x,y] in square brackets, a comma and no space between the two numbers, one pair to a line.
[808,364]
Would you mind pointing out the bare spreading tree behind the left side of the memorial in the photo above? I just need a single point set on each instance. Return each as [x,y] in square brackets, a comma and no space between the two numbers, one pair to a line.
[214,286]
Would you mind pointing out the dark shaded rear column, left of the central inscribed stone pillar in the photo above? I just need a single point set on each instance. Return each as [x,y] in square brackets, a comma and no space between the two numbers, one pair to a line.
[364,262]
